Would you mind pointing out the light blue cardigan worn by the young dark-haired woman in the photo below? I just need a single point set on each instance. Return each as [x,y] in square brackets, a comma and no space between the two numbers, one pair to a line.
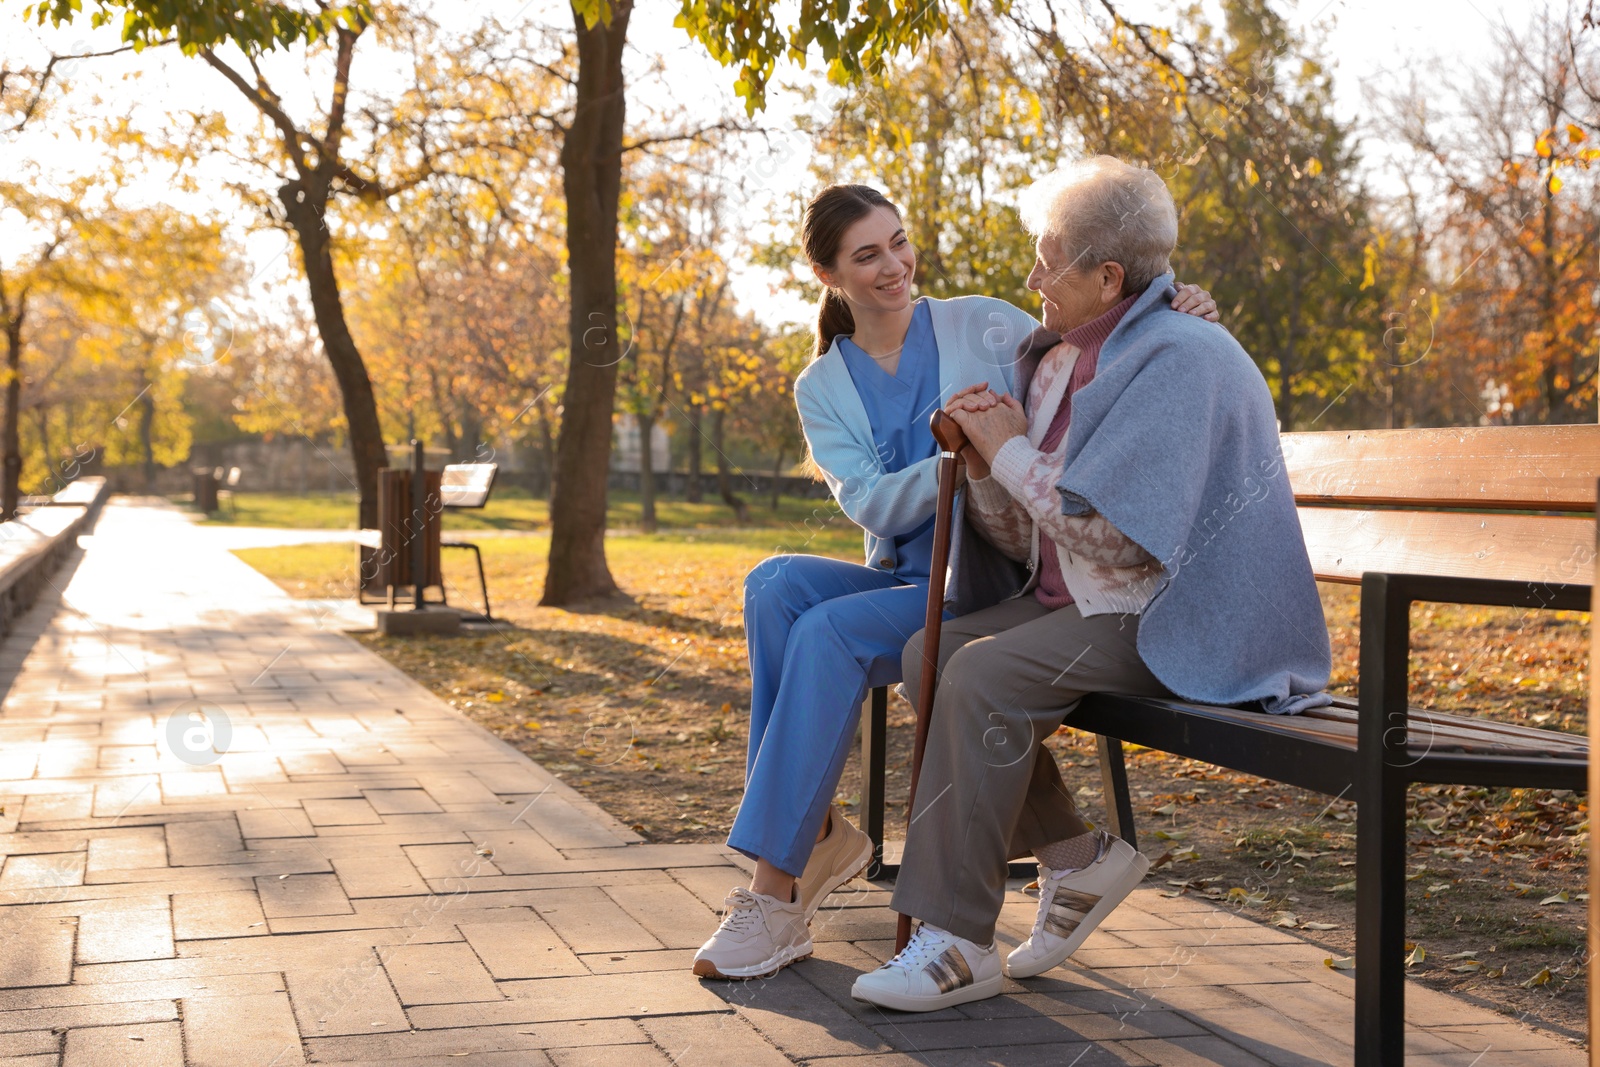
[978,338]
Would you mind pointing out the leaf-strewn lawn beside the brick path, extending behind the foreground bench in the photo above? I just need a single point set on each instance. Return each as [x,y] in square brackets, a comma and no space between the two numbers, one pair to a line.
[642,705]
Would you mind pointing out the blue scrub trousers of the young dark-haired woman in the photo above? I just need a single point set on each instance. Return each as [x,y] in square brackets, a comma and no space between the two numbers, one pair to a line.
[822,633]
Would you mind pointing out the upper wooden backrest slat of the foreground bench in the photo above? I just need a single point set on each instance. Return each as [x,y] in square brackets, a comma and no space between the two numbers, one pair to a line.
[1530,468]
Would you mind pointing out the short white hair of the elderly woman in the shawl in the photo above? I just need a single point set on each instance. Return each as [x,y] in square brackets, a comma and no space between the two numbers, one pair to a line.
[1106,210]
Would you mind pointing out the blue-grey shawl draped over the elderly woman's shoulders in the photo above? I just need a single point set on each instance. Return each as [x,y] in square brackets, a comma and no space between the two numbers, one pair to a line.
[1177,446]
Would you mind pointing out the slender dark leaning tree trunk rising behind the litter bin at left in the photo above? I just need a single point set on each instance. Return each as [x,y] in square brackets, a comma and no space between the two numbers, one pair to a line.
[306,206]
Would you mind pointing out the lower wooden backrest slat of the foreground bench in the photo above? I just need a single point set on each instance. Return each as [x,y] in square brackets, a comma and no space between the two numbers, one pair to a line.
[1345,543]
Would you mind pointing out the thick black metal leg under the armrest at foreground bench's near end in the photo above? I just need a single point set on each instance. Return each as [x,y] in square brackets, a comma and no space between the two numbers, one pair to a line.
[1380,828]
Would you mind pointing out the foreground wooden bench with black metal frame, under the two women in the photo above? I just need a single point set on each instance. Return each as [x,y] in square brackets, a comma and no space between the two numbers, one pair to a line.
[1494,516]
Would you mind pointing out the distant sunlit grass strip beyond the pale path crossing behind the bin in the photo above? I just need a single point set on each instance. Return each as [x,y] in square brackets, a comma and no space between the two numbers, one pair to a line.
[511,508]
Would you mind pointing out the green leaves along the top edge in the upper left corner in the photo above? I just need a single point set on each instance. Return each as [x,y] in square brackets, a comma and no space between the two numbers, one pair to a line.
[199,25]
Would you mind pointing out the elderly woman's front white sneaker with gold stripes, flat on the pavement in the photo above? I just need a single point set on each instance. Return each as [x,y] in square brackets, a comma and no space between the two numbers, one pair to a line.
[935,970]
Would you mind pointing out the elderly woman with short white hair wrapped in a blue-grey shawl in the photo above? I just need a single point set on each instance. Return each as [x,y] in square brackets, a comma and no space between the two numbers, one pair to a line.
[1142,484]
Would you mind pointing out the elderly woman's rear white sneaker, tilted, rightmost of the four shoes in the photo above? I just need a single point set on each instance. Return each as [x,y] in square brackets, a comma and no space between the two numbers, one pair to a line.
[1073,905]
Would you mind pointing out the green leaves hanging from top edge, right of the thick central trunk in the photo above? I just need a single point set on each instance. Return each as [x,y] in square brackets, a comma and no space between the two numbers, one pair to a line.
[855,41]
